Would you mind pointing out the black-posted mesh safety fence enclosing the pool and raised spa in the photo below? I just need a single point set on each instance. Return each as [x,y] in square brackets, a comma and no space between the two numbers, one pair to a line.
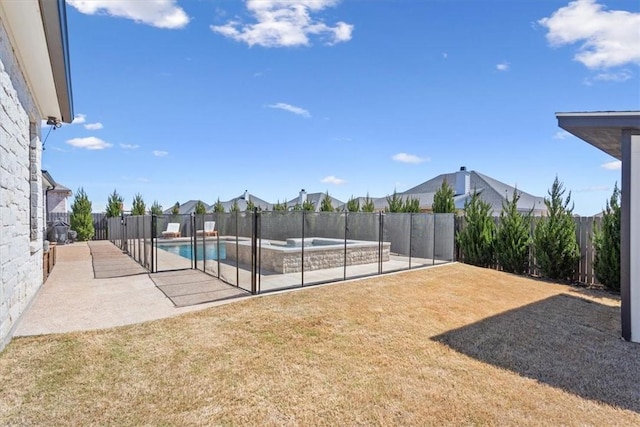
[266,251]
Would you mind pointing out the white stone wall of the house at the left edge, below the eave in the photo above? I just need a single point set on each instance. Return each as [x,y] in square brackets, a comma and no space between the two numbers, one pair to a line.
[21,199]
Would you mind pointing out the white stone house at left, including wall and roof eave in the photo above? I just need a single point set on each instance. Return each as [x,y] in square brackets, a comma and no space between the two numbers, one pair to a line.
[35,85]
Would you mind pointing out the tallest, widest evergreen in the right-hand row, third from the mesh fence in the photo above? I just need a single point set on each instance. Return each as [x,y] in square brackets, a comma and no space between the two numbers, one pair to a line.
[555,243]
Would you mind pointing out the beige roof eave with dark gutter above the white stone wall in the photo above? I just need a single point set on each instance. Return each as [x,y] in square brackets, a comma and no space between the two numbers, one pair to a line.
[37,30]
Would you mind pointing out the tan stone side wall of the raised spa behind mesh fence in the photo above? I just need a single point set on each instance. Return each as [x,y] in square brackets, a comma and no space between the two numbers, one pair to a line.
[289,260]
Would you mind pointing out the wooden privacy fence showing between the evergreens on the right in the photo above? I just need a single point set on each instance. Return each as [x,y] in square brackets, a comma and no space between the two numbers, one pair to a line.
[584,270]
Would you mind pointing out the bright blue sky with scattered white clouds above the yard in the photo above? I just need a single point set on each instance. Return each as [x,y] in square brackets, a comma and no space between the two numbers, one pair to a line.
[202,99]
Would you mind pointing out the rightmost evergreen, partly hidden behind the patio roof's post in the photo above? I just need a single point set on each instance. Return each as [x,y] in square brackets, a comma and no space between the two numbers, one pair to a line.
[606,241]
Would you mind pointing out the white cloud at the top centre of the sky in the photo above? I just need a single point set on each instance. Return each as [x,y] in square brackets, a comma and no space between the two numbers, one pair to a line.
[285,23]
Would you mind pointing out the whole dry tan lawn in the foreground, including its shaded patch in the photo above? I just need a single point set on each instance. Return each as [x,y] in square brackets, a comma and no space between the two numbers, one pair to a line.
[451,345]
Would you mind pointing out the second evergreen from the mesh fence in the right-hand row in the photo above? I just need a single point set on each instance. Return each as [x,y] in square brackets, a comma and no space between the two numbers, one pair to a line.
[513,237]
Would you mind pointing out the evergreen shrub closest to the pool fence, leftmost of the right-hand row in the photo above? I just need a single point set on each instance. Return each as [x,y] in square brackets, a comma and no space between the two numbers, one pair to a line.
[477,238]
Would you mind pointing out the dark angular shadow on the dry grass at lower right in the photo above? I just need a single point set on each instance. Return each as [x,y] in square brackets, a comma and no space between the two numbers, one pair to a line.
[563,341]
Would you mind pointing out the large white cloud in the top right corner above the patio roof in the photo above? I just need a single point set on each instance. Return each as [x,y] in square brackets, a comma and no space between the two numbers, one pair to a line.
[608,38]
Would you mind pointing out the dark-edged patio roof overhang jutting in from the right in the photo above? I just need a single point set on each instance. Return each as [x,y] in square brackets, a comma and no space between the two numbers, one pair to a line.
[602,129]
